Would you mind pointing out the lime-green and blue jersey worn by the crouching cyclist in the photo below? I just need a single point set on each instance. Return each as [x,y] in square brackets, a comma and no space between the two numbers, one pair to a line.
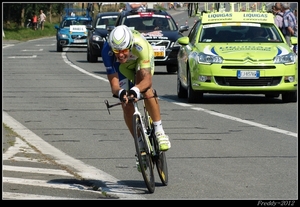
[141,55]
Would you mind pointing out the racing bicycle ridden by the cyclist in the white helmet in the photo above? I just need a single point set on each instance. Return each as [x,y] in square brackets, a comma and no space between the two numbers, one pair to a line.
[143,128]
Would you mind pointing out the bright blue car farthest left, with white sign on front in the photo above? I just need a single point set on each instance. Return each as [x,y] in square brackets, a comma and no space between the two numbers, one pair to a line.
[72,30]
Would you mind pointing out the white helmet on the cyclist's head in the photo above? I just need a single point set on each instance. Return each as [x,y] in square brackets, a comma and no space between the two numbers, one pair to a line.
[120,38]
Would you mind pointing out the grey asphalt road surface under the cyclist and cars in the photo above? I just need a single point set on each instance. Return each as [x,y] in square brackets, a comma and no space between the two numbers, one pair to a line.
[230,147]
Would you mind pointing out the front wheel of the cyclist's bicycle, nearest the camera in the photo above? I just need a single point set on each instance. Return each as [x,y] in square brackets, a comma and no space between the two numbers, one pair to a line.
[144,158]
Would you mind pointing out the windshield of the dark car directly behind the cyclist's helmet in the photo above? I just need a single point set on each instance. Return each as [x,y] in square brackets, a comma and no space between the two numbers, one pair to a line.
[149,23]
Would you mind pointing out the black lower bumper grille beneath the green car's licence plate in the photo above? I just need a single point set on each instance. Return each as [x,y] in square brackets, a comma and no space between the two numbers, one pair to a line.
[262,81]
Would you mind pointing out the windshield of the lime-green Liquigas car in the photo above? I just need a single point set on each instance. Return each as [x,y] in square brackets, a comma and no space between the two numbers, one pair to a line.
[240,32]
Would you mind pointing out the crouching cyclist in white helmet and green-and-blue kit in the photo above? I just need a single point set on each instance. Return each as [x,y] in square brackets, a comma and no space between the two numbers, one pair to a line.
[129,61]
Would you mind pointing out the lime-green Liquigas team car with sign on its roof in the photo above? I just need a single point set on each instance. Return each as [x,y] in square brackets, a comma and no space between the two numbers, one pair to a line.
[236,52]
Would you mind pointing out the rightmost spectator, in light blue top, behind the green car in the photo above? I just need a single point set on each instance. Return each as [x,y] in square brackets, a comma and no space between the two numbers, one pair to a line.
[290,27]
